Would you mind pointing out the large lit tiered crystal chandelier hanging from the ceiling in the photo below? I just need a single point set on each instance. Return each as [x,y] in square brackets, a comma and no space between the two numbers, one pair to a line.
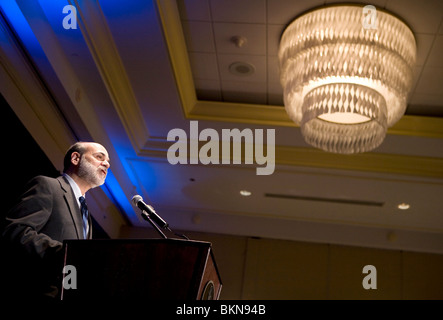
[346,75]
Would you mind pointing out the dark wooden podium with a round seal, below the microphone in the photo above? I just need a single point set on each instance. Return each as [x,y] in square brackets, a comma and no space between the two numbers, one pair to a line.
[156,269]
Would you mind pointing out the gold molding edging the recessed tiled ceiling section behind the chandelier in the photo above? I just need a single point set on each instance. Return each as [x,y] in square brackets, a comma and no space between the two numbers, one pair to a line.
[250,113]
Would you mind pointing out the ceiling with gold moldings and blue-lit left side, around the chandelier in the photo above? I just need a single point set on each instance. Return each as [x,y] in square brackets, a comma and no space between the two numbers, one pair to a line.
[129,75]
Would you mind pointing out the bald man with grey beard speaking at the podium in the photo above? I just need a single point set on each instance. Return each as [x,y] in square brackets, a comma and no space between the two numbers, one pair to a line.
[50,211]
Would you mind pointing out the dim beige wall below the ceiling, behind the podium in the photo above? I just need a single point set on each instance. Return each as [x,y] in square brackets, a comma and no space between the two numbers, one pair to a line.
[268,269]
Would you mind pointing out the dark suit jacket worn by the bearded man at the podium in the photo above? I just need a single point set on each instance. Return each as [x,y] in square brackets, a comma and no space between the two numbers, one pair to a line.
[47,214]
